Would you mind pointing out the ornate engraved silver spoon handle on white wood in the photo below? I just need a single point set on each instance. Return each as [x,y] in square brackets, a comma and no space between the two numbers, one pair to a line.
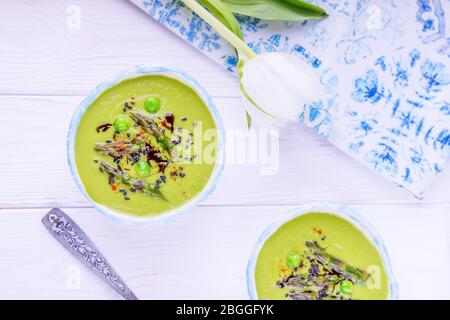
[73,238]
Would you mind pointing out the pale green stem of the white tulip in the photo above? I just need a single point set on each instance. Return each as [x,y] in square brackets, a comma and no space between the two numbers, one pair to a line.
[226,33]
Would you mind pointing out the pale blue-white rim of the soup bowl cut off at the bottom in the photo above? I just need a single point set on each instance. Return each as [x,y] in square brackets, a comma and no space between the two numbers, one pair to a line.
[337,209]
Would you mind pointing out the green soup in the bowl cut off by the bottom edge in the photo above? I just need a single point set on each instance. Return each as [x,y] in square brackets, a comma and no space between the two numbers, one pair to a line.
[320,256]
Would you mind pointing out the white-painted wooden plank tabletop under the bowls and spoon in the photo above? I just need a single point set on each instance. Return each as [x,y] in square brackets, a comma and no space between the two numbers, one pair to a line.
[47,66]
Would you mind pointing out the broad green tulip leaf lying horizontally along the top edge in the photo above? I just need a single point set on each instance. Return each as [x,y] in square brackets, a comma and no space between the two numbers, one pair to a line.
[285,10]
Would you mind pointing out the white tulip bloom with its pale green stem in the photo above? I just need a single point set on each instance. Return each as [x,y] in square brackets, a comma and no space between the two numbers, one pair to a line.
[277,86]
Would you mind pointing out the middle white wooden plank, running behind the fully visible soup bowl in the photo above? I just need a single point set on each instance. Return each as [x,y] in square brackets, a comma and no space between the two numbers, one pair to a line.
[34,171]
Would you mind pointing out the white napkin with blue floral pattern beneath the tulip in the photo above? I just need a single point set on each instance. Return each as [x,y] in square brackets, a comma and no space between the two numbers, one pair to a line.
[383,65]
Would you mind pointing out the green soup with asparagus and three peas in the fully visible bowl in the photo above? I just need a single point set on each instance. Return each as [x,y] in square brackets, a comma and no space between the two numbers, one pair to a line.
[140,147]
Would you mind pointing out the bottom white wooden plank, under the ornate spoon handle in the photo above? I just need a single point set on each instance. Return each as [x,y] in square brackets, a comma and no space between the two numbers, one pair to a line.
[202,255]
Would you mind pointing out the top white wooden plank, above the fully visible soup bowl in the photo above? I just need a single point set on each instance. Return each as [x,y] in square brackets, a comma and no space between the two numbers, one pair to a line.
[42,53]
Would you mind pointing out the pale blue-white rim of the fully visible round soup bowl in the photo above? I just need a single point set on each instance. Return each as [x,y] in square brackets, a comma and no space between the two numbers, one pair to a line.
[131,73]
